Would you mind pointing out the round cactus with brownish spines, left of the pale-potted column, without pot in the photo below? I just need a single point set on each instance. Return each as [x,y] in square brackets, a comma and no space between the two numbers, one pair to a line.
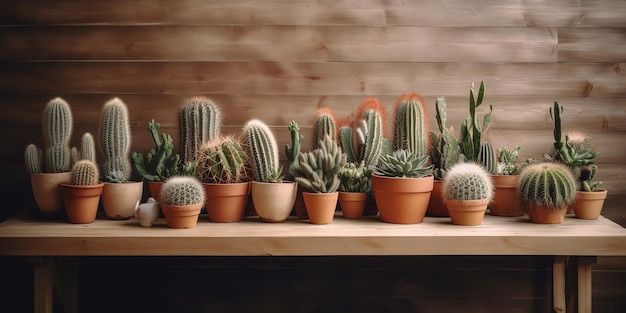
[222,160]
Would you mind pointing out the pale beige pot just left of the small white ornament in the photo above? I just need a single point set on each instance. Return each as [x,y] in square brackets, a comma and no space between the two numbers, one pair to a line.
[119,200]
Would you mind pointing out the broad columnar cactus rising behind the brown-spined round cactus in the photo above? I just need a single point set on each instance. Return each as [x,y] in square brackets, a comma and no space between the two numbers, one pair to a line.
[200,121]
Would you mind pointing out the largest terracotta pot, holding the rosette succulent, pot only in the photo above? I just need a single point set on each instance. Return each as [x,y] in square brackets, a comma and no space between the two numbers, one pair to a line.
[402,200]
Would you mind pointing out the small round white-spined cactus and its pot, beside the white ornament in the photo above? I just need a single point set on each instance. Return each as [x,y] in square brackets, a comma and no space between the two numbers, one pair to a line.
[183,198]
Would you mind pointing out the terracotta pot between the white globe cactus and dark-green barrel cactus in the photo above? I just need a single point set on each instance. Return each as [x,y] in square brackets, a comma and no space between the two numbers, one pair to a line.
[506,199]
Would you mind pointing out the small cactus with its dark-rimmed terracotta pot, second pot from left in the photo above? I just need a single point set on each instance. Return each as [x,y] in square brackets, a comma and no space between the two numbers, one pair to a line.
[81,194]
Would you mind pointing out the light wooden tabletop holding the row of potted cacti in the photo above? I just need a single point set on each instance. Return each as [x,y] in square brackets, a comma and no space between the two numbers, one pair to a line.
[366,236]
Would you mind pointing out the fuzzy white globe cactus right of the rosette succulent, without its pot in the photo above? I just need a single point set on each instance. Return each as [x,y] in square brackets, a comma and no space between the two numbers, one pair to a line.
[467,181]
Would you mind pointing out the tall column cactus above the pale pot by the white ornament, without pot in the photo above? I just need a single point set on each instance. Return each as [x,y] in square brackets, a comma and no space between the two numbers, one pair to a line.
[115,141]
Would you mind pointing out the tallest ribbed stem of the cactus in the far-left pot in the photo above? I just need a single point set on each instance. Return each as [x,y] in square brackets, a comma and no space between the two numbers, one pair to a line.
[57,128]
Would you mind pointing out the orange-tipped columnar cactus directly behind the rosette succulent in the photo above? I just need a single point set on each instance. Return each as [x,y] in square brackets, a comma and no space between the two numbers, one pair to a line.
[411,127]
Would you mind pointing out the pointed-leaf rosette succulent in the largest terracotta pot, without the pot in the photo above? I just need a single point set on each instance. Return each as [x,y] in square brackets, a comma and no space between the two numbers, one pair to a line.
[403,163]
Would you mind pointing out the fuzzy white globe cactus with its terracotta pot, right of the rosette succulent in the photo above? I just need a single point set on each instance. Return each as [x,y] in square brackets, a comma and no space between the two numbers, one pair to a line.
[467,190]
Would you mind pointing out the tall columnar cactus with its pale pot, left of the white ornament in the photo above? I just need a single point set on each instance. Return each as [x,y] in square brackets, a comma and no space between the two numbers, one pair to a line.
[120,196]
